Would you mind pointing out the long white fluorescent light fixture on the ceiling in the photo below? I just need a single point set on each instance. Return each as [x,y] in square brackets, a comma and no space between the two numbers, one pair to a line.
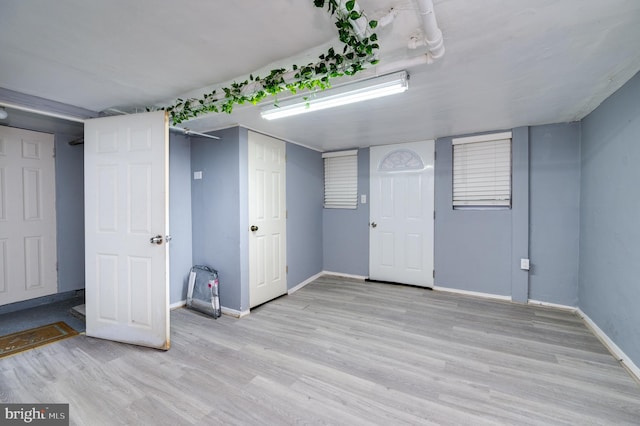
[377,87]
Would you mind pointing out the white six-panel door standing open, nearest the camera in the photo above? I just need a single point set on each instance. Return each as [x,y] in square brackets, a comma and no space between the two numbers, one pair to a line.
[126,224]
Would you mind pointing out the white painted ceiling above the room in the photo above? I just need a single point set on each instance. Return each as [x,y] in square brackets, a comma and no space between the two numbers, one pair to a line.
[508,63]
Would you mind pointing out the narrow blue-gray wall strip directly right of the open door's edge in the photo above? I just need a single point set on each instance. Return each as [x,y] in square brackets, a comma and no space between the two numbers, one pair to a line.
[180,255]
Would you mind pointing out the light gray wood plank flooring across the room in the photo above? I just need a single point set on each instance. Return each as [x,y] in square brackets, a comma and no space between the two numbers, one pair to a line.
[341,351]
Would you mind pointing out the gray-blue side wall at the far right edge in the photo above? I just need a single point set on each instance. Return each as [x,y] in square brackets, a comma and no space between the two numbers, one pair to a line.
[609,287]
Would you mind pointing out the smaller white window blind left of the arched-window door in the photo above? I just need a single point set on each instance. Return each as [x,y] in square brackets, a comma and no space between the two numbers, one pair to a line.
[341,179]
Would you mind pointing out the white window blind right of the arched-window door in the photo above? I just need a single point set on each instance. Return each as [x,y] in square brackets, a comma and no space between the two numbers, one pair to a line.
[482,170]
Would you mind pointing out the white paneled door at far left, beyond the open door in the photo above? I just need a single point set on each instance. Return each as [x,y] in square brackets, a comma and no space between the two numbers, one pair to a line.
[27,215]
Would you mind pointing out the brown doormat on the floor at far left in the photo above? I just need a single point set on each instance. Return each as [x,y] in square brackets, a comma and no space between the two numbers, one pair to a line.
[21,341]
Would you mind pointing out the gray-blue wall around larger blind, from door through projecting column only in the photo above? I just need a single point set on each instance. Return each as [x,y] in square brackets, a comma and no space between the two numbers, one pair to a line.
[479,250]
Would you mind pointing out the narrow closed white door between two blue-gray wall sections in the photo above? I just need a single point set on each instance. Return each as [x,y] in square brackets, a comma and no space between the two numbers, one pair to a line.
[267,219]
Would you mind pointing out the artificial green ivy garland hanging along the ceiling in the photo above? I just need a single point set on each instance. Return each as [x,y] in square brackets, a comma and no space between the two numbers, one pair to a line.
[357,52]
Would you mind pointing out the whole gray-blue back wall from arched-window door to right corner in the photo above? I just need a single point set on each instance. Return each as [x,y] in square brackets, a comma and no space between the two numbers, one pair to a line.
[480,250]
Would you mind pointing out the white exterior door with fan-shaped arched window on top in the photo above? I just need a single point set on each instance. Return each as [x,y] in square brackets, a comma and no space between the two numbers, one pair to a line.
[401,213]
